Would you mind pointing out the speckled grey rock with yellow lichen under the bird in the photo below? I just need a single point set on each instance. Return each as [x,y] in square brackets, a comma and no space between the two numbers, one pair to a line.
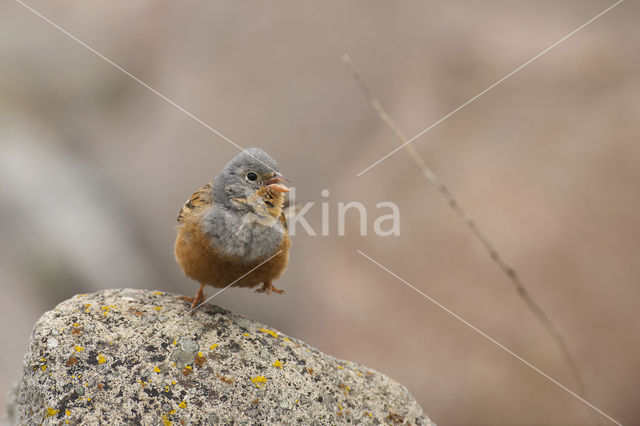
[108,357]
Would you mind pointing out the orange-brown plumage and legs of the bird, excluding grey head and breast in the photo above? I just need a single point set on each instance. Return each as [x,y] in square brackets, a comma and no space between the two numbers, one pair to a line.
[199,257]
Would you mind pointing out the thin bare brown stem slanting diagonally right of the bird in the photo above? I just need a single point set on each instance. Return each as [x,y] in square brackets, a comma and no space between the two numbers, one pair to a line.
[509,271]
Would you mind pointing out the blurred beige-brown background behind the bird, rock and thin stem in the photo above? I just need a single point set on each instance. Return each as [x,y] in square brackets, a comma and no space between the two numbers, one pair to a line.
[94,168]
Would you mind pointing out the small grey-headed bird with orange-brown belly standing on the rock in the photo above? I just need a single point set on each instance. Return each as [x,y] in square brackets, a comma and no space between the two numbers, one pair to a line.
[233,224]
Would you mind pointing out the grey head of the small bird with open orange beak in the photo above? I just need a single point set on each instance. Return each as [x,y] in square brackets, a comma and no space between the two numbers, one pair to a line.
[251,182]
